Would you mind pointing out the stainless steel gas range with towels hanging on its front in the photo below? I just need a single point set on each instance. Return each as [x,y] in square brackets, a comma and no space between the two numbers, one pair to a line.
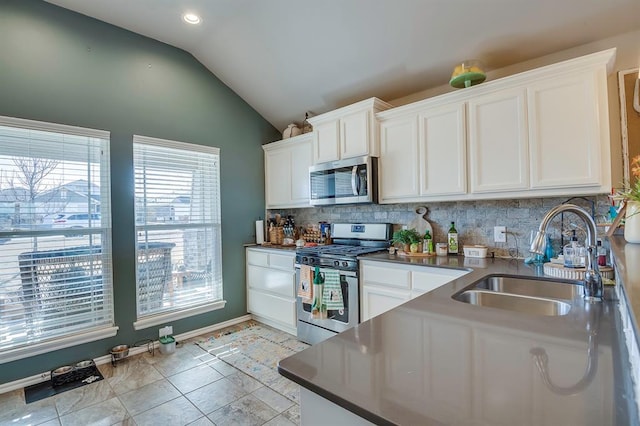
[349,241]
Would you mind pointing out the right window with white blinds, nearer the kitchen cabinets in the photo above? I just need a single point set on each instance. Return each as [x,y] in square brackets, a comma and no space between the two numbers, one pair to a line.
[177,208]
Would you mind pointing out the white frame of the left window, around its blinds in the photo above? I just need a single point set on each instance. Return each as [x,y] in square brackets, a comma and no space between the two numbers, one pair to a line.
[90,334]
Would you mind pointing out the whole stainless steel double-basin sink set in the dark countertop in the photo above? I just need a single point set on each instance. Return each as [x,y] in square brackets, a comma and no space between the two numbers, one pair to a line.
[521,294]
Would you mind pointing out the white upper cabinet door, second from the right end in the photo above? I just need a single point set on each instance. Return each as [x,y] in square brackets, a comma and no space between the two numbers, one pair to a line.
[498,158]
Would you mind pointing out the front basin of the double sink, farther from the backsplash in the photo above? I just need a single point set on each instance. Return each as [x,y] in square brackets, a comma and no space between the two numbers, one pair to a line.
[514,302]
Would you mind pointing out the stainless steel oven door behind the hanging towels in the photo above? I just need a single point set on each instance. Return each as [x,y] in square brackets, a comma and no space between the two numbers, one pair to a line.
[337,320]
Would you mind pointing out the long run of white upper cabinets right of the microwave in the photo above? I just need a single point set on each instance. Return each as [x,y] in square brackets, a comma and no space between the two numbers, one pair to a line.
[543,132]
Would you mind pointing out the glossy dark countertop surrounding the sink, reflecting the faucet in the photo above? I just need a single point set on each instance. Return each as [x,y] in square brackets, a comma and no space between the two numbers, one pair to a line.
[434,360]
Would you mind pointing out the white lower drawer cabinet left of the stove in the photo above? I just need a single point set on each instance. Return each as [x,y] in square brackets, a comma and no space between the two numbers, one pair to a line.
[271,287]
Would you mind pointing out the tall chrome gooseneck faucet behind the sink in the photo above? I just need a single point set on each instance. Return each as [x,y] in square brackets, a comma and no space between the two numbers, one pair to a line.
[593,288]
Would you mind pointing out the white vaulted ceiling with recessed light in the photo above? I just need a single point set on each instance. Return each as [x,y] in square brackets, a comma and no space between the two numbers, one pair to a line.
[285,57]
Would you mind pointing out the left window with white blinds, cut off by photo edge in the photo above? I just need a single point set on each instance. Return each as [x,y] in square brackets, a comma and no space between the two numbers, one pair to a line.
[55,248]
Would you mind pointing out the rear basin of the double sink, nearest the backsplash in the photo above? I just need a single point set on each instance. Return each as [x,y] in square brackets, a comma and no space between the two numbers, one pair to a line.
[531,287]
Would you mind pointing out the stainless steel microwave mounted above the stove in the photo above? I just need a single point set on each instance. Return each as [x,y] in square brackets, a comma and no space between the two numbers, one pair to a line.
[350,181]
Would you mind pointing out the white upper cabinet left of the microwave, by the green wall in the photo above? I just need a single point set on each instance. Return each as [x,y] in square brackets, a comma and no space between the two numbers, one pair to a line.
[286,165]
